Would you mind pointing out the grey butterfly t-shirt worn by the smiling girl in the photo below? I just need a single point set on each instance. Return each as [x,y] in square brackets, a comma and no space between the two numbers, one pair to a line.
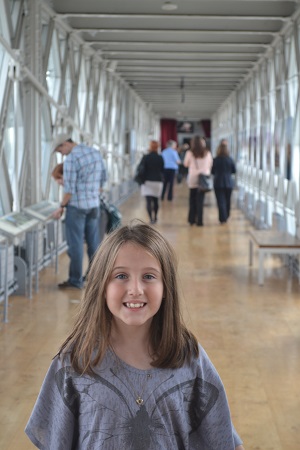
[184,408]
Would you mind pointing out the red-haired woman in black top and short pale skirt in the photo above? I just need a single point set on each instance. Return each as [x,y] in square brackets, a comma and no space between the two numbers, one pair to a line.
[151,189]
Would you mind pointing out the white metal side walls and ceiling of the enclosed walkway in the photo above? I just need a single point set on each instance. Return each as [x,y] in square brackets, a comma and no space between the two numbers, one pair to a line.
[107,71]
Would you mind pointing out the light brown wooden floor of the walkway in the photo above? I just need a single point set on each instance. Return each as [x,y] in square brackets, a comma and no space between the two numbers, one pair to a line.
[251,332]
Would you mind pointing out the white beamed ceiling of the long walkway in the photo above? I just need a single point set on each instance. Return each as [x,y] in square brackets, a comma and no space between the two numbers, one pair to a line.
[184,62]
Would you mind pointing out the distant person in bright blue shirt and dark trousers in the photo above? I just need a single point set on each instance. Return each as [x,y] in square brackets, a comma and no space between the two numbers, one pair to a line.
[171,163]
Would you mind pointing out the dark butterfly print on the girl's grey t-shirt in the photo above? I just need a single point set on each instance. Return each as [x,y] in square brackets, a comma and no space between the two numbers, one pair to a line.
[108,421]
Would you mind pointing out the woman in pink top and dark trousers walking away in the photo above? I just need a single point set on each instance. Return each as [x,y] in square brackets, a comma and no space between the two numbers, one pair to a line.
[197,160]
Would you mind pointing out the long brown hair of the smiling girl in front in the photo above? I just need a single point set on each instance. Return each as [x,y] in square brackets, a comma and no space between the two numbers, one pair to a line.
[172,343]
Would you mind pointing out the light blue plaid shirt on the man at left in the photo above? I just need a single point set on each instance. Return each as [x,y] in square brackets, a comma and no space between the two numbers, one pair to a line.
[84,175]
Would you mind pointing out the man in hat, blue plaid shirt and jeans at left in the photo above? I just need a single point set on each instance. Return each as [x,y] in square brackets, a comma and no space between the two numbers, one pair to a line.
[83,177]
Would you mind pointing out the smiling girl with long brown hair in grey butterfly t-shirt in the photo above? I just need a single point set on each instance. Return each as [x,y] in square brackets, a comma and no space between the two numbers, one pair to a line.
[130,375]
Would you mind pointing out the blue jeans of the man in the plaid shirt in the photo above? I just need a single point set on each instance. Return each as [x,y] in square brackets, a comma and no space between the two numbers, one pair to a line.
[81,225]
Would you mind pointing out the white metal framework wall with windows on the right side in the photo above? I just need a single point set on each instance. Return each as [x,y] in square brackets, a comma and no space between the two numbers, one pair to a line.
[261,118]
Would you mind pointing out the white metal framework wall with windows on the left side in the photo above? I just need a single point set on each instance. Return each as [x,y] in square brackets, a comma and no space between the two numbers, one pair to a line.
[50,82]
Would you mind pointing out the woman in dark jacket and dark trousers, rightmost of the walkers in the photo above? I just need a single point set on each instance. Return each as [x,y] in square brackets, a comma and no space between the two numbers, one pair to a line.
[222,169]
